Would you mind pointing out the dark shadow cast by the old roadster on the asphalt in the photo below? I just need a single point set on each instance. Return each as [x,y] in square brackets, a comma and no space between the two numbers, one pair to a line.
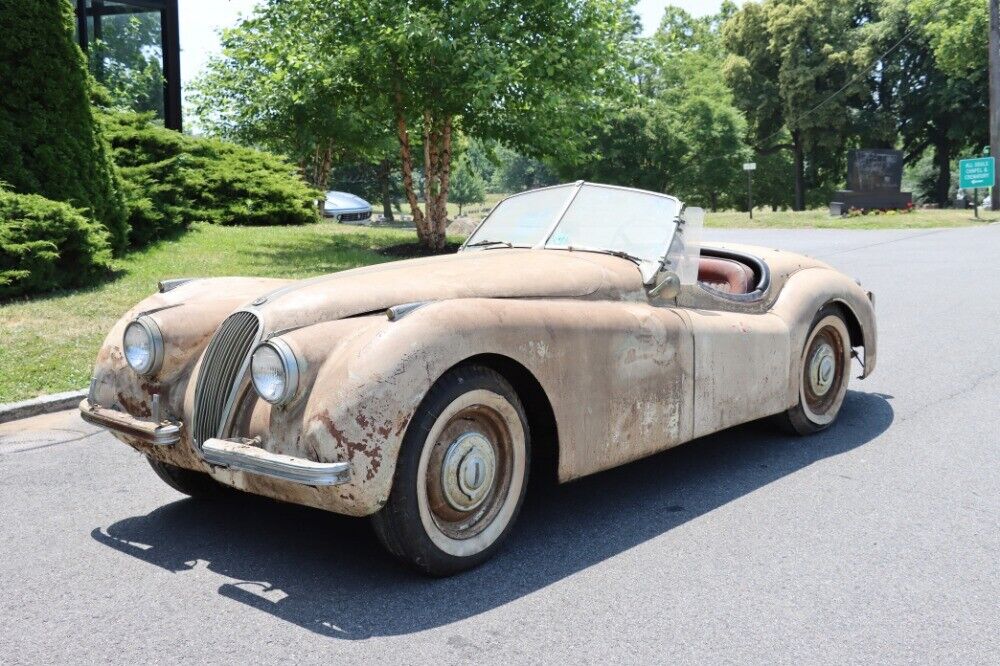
[328,574]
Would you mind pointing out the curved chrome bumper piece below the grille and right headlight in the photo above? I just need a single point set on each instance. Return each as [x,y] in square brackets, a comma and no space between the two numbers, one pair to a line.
[238,455]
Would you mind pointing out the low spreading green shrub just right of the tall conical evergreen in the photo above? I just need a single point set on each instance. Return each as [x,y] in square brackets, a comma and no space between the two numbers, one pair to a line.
[172,180]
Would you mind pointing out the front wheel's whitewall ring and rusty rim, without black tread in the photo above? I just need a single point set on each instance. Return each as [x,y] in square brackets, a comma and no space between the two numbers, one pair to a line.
[471,472]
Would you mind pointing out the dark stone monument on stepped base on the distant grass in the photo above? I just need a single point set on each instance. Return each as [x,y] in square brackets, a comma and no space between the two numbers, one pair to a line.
[874,179]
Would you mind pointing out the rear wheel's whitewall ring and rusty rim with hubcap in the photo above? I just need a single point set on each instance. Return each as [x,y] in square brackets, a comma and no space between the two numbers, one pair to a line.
[824,371]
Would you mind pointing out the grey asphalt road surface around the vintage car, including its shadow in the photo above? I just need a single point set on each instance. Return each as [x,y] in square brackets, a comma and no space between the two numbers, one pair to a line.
[876,541]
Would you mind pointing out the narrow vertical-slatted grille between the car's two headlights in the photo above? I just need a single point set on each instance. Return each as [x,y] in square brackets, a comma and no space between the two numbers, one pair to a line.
[220,373]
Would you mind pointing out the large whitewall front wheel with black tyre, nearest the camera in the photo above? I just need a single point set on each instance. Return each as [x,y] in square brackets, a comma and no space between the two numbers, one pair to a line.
[461,474]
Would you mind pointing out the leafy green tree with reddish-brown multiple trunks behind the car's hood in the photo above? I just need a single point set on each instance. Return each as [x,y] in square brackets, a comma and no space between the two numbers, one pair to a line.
[526,72]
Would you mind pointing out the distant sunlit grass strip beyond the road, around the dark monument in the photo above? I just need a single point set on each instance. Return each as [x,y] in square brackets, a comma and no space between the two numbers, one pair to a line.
[820,219]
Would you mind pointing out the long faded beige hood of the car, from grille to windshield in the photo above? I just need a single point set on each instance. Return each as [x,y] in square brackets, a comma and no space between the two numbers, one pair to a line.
[500,273]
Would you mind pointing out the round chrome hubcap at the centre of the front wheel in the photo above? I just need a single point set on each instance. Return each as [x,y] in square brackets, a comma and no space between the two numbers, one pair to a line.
[467,471]
